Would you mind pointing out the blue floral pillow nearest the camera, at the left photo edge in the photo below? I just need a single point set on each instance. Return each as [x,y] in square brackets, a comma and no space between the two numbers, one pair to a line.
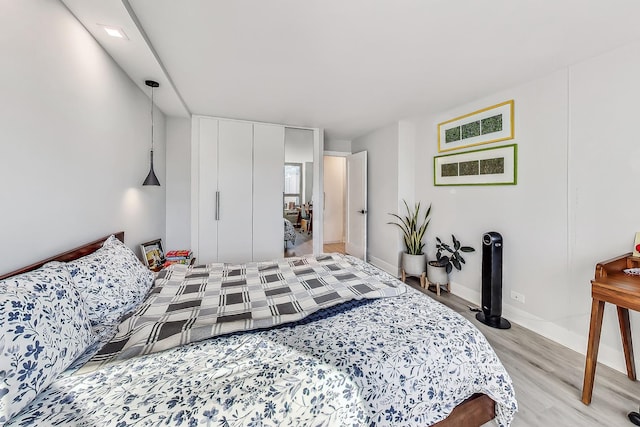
[44,328]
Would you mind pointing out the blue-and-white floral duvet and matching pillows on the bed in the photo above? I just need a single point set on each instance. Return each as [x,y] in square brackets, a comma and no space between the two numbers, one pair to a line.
[398,360]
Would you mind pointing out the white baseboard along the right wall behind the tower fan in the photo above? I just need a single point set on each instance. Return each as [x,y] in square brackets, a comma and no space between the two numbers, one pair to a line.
[607,355]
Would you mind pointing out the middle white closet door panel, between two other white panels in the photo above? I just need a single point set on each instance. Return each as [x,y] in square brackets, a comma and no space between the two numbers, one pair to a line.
[235,164]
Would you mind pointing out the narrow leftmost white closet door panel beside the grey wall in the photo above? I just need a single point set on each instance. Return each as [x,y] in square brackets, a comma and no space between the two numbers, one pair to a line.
[207,250]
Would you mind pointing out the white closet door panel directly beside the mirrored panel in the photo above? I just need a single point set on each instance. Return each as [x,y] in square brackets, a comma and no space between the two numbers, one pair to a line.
[268,186]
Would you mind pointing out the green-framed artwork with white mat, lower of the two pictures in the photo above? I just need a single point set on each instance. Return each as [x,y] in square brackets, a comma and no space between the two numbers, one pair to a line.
[487,166]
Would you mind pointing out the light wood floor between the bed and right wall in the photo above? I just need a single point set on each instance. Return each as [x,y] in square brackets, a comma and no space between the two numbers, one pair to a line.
[548,377]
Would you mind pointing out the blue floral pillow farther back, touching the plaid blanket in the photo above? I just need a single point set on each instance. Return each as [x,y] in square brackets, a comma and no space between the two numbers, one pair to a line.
[111,280]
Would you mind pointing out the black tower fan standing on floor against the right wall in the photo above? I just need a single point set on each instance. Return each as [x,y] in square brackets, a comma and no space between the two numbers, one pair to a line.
[492,282]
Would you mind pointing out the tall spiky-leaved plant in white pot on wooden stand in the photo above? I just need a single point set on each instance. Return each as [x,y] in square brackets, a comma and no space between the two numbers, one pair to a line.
[413,227]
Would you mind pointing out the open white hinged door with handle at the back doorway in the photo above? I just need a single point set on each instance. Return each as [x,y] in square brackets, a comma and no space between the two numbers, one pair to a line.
[356,234]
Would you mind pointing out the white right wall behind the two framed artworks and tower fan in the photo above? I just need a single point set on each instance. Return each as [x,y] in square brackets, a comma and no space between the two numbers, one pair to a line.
[577,159]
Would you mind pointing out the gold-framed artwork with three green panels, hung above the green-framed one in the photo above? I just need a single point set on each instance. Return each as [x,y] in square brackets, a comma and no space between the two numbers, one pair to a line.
[491,124]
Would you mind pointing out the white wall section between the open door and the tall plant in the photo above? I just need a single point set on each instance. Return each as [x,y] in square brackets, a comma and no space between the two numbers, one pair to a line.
[382,196]
